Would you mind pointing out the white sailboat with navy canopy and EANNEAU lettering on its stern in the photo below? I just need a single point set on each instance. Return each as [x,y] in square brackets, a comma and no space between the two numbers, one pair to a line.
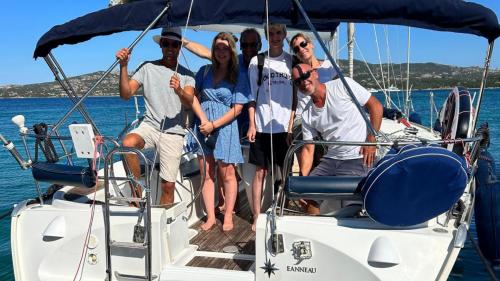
[411,227]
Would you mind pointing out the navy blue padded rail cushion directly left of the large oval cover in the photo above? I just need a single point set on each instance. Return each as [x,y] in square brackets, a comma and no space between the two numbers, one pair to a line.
[322,187]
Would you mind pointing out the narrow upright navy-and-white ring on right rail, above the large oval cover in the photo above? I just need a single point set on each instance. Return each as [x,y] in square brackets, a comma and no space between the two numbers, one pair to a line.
[456,118]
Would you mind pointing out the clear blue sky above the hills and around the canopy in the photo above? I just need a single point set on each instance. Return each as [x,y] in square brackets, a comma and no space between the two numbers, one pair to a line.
[24,22]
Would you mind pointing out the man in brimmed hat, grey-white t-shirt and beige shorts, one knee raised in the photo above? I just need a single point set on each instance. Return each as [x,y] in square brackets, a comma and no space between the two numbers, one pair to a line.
[165,92]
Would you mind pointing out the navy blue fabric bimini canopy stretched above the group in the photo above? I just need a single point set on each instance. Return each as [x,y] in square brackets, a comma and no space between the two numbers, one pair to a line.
[445,15]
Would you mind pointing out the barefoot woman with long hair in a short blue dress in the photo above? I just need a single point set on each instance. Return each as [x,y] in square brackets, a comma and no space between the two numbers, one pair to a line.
[220,98]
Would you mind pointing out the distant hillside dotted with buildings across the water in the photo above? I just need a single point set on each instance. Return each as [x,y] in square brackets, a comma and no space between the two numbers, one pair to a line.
[422,76]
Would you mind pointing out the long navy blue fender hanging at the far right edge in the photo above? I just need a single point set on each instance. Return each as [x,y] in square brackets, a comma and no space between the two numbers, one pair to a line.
[487,207]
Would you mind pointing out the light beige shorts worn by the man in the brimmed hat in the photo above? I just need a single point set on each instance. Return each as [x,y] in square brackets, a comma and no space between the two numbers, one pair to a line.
[170,147]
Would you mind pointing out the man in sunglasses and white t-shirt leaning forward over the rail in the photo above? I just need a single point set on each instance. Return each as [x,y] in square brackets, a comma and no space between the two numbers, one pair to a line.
[334,115]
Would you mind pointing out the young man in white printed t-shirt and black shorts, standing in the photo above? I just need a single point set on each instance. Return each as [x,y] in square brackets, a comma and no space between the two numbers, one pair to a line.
[270,116]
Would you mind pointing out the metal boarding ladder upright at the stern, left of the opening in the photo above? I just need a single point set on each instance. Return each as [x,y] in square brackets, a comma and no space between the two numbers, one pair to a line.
[141,240]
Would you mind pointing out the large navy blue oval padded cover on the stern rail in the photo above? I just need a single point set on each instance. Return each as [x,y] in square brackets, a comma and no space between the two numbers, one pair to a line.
[413,185]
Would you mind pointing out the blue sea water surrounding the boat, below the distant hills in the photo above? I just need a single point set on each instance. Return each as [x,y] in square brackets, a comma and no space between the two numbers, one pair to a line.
[111,114]
